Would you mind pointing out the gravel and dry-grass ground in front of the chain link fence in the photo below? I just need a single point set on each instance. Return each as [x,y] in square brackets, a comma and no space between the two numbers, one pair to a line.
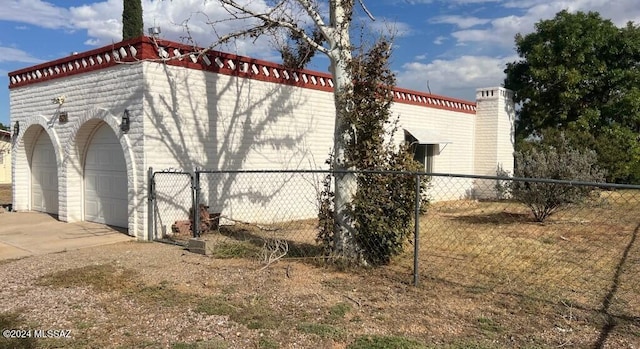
[153,294]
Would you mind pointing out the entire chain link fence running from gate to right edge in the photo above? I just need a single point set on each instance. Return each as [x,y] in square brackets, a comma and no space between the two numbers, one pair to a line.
[473,233]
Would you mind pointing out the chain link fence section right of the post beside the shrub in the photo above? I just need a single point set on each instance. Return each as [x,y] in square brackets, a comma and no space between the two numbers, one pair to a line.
[585,253]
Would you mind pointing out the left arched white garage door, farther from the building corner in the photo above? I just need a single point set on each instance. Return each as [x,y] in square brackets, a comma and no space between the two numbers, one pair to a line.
[44,176]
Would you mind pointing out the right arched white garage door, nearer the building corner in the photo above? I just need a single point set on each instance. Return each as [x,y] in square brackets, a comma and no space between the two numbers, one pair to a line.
[105,180]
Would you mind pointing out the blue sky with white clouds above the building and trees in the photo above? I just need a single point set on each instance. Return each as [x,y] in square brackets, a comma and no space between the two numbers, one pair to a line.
[450,47]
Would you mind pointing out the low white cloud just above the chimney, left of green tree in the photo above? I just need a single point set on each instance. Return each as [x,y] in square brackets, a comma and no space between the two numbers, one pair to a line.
[458,77]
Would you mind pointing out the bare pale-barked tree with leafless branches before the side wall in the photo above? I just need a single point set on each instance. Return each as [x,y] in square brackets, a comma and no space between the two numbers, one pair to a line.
[301,18]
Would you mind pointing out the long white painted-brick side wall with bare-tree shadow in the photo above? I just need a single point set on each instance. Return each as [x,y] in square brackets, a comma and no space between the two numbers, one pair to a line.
[213,121]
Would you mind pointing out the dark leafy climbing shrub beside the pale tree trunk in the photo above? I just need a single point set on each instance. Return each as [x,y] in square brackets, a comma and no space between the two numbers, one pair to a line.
[382,209]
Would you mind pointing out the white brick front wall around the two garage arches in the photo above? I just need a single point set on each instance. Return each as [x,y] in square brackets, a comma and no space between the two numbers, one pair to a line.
[91,98]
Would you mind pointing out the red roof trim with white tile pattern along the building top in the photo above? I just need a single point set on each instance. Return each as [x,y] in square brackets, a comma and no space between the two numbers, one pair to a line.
[173,53]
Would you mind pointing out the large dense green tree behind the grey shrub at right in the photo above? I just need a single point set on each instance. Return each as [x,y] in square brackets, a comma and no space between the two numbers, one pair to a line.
[578,75]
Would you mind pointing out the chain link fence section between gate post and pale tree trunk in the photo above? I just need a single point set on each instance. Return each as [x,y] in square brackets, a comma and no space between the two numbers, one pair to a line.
[260,215]
